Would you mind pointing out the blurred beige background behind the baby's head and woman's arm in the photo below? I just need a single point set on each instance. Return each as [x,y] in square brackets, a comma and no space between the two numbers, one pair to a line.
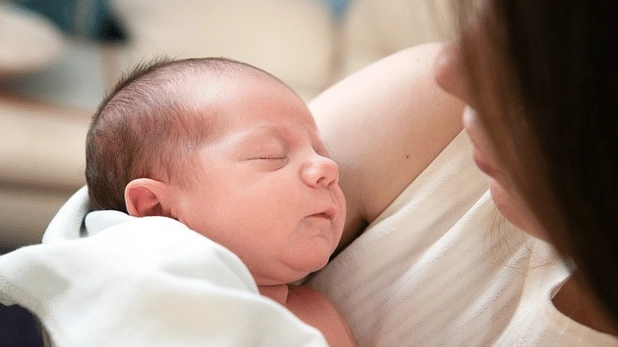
[59,58]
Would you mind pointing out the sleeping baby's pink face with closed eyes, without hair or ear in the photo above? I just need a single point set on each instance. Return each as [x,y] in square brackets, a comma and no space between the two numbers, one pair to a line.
[265,187]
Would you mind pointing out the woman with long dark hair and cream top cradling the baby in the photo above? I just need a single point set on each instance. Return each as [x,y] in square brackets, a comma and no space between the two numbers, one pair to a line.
[539,78]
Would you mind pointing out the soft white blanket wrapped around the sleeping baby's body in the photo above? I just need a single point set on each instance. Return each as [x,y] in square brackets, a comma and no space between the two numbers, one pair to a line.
[142,282]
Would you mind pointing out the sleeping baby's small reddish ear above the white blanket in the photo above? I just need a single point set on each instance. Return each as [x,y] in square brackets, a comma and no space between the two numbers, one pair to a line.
[147,197]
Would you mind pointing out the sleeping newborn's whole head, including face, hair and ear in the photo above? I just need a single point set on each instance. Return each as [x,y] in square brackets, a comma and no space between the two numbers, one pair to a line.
[226,149]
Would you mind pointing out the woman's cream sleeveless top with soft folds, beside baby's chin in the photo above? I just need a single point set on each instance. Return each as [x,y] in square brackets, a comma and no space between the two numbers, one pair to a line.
[440,267]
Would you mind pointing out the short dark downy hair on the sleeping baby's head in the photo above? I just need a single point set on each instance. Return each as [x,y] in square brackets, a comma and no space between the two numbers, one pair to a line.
[147,127]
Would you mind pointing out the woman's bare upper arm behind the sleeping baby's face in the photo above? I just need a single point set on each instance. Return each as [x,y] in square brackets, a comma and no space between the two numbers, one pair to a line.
[384,125]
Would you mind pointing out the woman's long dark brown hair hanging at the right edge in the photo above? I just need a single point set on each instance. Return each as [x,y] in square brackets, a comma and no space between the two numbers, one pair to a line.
[545,80]
